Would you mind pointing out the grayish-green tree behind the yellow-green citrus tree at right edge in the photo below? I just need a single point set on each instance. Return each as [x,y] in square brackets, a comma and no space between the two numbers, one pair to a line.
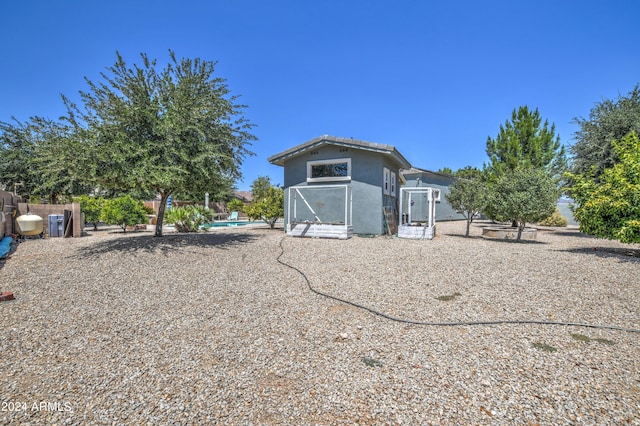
[608,120]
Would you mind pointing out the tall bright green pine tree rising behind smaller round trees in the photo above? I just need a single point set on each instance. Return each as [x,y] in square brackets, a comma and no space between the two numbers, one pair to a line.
[526,141]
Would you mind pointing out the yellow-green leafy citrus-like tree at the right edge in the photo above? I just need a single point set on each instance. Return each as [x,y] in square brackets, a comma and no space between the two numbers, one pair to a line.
[609,206]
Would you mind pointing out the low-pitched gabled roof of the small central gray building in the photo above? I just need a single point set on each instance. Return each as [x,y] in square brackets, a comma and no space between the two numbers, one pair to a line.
[390,150]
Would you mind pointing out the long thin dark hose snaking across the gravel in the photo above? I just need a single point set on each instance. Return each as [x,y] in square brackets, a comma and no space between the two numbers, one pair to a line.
[442,324]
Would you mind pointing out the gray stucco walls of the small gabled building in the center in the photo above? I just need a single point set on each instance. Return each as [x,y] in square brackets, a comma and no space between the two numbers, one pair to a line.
[366,184]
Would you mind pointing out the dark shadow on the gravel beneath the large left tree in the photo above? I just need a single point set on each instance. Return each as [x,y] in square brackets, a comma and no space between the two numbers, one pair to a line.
[166,245]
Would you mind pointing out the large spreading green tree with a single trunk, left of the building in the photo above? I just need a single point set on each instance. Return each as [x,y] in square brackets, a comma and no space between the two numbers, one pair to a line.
[177,130]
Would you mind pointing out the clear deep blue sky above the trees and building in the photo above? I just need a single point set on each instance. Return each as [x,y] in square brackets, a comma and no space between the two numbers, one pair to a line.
[433,78]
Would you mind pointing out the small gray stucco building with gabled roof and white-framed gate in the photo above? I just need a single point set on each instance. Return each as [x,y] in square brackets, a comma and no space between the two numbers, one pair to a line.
[341,183]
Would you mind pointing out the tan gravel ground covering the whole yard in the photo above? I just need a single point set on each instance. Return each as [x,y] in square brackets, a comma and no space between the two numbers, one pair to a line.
[210,328]
